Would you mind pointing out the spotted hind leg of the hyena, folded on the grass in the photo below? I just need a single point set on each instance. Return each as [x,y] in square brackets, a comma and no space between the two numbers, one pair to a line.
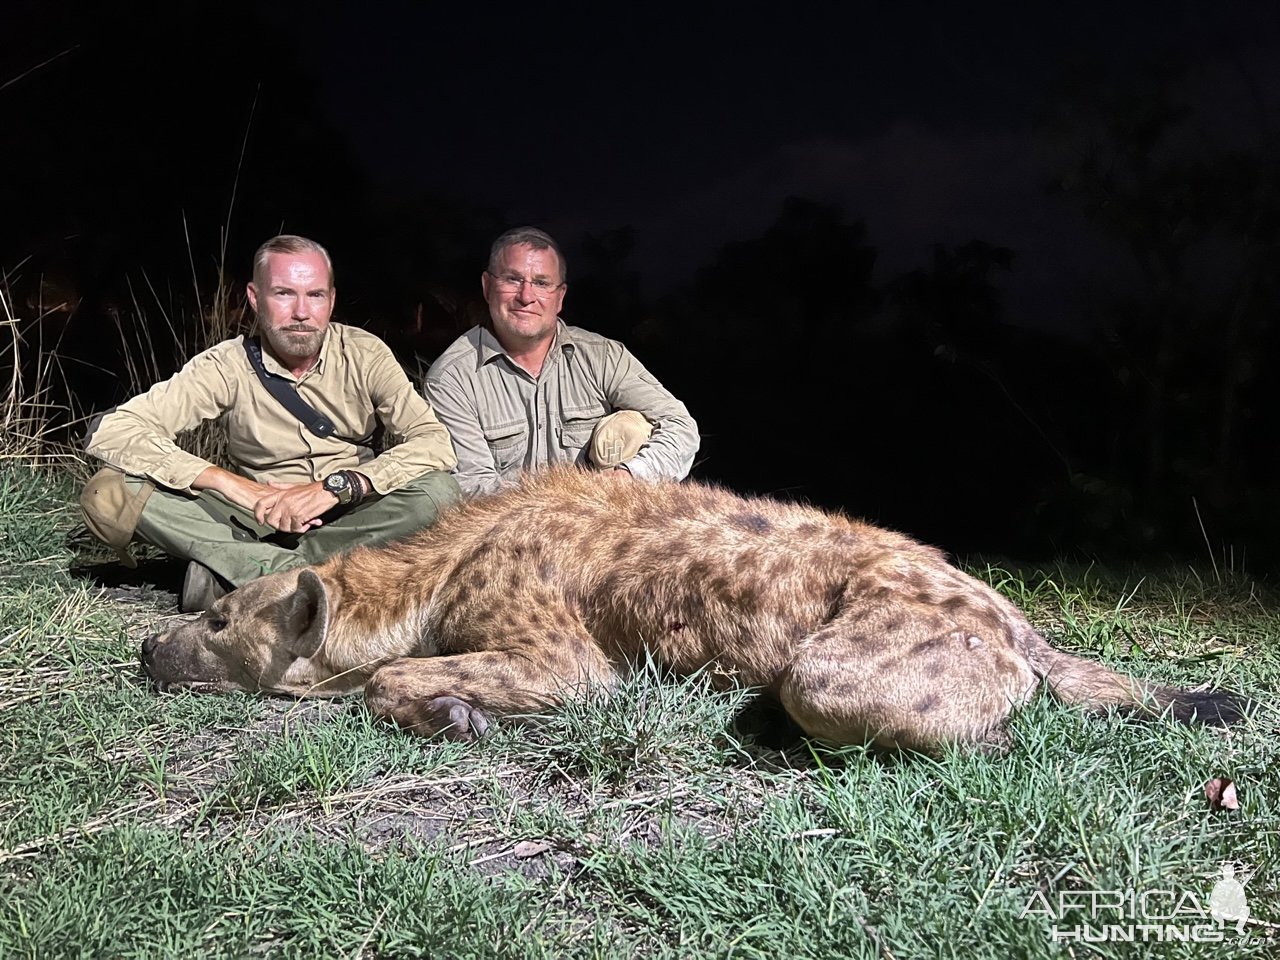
[918,692]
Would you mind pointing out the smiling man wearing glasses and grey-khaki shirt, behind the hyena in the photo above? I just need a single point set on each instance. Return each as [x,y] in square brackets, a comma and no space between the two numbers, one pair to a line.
[527,390]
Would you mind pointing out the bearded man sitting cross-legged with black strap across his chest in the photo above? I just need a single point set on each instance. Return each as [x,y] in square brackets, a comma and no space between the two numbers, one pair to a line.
[307,479]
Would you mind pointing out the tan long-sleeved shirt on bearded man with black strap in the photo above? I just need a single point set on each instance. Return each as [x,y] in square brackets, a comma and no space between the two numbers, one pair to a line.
[358,383]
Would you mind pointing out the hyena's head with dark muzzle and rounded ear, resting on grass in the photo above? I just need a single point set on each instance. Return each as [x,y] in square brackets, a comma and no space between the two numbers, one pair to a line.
[258,638]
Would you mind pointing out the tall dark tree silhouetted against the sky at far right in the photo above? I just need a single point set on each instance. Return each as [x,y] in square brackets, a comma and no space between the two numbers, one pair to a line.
[1186,341]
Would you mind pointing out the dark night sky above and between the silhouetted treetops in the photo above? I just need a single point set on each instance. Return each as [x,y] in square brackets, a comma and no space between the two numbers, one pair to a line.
[693,124]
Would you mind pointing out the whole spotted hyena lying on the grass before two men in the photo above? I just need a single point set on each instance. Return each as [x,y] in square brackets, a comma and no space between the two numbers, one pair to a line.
[516,602]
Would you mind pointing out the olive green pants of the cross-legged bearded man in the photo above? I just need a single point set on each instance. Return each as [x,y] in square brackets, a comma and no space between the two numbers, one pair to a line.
[227,540]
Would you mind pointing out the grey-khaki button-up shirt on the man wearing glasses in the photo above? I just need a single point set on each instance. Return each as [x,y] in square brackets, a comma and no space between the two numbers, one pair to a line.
[505,420]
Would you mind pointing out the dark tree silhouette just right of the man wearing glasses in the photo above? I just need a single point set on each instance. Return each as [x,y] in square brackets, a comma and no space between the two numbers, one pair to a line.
[766,341]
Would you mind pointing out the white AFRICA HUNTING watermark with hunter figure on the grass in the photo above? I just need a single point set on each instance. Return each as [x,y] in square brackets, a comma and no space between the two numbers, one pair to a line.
[1155,916]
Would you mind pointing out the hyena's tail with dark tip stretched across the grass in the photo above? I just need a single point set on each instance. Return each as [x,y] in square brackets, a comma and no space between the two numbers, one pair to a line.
[1078,682]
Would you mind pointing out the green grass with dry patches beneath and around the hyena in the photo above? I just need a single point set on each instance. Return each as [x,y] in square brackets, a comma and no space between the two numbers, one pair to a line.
[651,825]
